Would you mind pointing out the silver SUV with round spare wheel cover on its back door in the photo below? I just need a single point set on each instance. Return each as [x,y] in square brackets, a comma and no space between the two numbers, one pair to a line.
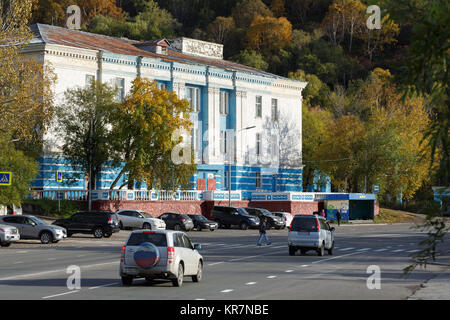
[160,254]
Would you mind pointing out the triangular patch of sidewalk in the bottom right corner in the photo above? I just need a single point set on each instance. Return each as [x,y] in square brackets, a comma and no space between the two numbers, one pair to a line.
[437,288]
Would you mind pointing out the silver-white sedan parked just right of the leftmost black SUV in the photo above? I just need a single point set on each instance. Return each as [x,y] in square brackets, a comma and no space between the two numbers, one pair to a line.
[136,219]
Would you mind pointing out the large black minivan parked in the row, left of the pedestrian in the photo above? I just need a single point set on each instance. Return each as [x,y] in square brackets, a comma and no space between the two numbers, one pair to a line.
[228,216]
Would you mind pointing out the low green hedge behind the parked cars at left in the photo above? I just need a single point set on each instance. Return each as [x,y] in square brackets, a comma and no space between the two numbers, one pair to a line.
[49,208]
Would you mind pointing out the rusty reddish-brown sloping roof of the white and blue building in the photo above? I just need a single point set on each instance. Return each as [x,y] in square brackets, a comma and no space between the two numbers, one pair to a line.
[61,36]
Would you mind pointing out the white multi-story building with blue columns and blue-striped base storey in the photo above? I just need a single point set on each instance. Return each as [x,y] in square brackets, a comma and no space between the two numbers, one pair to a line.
[228,100]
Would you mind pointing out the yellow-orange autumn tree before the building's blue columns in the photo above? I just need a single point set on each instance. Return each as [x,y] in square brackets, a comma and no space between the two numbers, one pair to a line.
[142,137]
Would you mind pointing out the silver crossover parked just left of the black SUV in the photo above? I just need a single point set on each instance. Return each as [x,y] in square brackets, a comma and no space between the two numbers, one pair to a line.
[31,227]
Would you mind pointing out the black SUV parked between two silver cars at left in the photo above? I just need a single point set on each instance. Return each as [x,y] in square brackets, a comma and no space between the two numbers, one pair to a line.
[99,223]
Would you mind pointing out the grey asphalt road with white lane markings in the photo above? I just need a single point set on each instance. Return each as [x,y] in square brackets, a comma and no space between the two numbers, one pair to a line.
[235,268]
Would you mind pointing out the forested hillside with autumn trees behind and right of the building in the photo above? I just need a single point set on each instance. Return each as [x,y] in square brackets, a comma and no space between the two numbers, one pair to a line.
[376,106]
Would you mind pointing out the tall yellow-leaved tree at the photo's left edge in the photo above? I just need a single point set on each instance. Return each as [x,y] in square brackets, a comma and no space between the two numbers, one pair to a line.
[26,101]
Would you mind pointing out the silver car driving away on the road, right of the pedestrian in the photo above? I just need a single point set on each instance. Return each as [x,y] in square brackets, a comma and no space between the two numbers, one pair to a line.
[310,232]
